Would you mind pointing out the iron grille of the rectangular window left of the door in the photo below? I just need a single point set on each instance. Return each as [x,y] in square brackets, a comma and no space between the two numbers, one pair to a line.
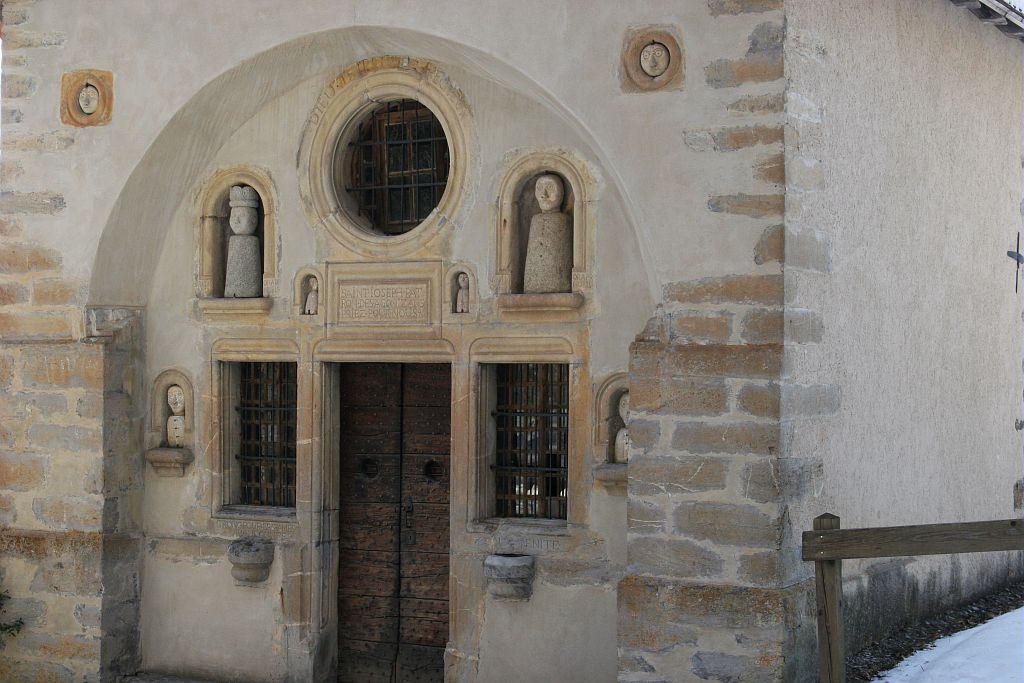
[267,407]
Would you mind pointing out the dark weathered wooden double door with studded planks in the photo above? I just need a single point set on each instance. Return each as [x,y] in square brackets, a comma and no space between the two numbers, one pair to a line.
[395,442]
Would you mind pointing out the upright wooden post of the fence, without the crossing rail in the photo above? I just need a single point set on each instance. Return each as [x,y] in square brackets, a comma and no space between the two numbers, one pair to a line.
[829,584]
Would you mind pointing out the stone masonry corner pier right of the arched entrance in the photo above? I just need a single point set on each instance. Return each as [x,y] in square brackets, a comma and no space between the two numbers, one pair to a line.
[713,590]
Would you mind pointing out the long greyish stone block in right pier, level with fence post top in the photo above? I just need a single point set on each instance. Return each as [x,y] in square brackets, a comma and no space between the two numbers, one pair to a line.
[729,525]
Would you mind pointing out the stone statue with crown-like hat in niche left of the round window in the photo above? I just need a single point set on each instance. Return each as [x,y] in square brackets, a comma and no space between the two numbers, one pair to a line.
[244,277]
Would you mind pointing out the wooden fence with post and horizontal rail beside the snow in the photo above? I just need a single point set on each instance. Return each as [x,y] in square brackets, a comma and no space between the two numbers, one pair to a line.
[828,545]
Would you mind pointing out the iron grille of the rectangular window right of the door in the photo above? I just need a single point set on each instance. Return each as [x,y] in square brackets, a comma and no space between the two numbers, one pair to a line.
[532,441]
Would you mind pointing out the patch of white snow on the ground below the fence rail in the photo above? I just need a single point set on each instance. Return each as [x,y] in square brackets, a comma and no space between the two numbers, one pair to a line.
[993,653]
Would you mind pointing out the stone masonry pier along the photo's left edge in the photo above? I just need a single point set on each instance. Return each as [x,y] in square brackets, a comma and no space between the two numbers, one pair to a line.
[69,485]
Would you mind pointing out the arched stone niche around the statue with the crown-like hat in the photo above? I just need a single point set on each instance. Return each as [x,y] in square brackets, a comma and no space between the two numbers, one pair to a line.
[212,231]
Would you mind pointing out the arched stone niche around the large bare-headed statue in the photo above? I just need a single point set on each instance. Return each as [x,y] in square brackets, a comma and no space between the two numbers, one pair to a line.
[518,205]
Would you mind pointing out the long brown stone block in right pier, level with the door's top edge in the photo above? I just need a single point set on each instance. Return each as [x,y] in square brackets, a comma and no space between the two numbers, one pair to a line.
[751,361]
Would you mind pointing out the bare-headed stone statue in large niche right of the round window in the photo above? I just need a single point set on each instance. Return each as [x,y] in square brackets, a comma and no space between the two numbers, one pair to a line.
[549,248]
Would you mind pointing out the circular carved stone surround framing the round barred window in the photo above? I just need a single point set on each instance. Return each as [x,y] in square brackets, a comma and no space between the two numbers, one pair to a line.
[334,120]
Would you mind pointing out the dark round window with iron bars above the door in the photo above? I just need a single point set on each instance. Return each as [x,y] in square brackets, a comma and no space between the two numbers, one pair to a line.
[394,166]
